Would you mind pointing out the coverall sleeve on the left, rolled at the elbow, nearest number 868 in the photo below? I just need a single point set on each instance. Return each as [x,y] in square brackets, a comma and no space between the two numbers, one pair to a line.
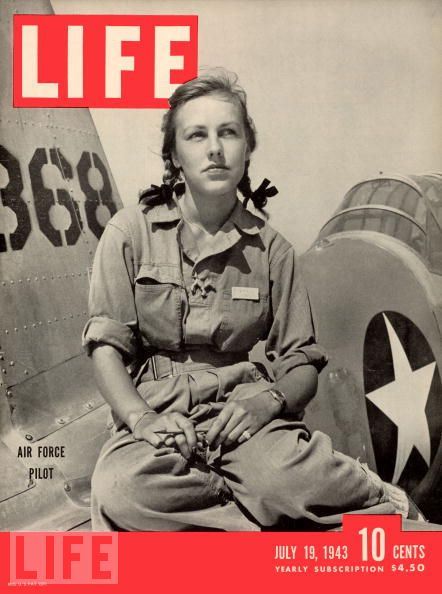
[112,312]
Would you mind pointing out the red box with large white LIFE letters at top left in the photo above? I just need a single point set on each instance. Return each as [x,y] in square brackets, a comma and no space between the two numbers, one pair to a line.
[129,61]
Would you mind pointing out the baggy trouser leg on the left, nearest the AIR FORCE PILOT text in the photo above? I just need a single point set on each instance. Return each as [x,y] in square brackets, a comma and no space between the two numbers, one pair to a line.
[136,487]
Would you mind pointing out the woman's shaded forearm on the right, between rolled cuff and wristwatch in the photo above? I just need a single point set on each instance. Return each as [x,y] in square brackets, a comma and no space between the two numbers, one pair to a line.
[299,386]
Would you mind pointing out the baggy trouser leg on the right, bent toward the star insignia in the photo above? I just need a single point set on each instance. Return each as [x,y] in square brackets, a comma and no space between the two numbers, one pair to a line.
[283,471]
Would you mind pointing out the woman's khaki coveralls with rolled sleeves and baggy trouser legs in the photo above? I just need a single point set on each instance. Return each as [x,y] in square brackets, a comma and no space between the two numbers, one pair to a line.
[185,323]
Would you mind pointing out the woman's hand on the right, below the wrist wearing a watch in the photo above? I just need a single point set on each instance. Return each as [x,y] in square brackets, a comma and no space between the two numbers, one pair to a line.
[240,419]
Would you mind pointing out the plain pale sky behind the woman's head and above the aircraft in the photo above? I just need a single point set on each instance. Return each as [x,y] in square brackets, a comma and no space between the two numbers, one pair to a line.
[338,89]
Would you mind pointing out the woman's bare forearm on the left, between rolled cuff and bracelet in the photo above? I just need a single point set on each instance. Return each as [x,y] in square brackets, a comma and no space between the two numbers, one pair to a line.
[115,384]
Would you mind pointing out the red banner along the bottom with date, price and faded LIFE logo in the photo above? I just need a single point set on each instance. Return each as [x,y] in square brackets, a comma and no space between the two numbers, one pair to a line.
[370,552]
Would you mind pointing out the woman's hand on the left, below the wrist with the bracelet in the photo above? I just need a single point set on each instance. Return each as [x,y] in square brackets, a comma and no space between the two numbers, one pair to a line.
[167,429]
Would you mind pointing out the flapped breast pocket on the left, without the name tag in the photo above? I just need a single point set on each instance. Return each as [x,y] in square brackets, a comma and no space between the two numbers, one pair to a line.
[158,299]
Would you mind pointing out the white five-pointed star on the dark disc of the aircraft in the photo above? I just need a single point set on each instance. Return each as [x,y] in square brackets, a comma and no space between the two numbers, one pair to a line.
[404,401]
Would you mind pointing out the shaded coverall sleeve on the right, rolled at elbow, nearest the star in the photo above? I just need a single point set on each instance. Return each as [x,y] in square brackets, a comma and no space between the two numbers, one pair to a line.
[291,341]
